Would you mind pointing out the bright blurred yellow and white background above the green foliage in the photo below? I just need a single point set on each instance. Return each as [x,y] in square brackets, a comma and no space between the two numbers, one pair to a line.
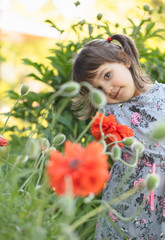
[25,34]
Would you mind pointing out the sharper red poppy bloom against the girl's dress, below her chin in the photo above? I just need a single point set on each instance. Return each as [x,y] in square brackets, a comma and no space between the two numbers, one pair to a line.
[110,126]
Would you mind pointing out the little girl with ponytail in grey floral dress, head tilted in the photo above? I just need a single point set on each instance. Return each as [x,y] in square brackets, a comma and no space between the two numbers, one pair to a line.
[114,68]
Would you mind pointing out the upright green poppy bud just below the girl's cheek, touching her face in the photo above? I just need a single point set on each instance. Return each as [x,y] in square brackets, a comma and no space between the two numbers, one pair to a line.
[98,98]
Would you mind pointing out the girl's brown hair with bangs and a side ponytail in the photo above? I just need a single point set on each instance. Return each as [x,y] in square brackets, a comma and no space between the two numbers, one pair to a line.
[94,54]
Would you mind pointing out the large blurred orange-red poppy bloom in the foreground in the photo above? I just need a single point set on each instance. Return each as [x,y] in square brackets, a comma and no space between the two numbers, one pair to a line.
[87,167]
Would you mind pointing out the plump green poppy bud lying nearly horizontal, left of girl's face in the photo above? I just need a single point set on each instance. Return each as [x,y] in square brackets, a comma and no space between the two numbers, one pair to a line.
[70,89]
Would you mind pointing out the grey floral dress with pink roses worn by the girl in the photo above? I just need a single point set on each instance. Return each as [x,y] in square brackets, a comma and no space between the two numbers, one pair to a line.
[141,113]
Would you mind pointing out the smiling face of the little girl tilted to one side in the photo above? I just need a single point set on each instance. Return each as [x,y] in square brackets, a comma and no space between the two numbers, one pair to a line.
[116,81]
